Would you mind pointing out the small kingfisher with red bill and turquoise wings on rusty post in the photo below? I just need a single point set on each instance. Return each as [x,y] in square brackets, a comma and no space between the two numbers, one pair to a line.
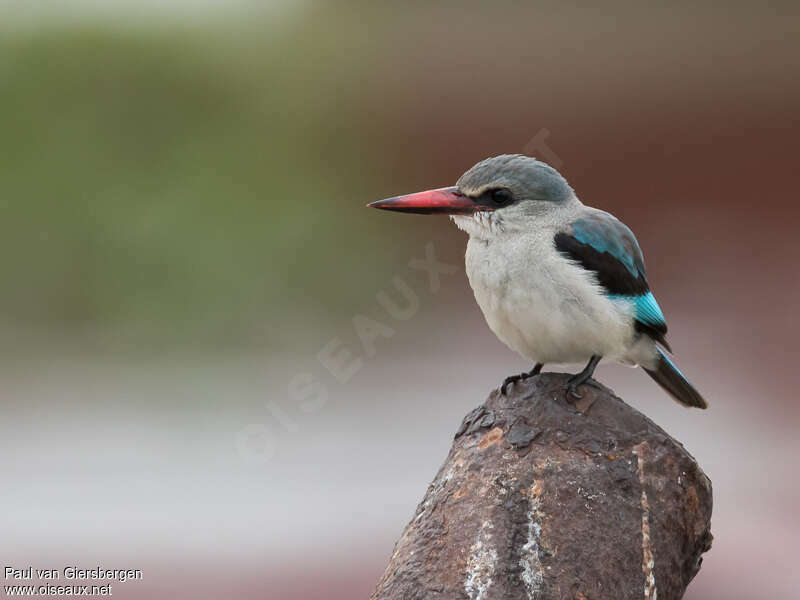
[556,280]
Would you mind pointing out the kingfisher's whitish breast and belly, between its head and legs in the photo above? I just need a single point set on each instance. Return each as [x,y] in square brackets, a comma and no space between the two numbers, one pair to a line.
[541,304]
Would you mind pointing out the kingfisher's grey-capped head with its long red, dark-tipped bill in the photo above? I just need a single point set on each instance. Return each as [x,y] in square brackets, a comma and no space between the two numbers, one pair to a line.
[501,193]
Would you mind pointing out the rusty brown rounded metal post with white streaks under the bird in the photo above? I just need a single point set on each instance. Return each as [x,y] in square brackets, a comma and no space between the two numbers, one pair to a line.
[542,498]
